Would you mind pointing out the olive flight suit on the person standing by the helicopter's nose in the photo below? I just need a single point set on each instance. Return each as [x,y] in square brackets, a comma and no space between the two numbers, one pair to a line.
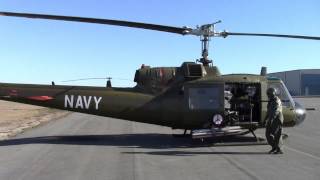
[274,121]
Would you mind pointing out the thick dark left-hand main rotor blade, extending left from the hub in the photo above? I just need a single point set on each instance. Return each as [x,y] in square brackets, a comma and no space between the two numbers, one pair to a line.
[156,27]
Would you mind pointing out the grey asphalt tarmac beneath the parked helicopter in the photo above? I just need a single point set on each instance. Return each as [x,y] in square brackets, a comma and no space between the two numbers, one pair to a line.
[89,147]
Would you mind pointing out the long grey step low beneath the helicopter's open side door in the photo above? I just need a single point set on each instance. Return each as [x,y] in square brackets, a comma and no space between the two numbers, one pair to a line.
[218,132]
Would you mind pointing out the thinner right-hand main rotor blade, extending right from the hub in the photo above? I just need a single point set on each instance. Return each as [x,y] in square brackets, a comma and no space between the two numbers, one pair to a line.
[225,34]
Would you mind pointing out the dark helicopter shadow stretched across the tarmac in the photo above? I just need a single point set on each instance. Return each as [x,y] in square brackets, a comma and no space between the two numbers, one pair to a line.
[143,141]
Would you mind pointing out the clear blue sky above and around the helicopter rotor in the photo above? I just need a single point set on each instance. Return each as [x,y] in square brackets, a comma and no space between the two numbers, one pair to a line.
[41,51]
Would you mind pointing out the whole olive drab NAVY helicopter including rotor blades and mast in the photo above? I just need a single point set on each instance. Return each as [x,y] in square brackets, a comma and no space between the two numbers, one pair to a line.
[194,96]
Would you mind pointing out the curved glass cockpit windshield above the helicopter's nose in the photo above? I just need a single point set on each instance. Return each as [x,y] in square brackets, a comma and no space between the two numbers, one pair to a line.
[283,93]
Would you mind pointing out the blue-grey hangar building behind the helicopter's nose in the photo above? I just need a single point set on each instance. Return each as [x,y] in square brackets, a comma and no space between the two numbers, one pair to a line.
[304,82]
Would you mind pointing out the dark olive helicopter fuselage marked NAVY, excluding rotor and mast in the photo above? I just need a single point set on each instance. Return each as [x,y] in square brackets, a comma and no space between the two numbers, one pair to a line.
[180,101]
